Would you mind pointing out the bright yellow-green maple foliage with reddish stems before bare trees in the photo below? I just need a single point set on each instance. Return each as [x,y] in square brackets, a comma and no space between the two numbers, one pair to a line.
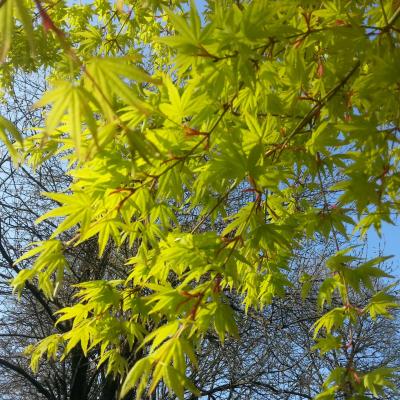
[157,109]
